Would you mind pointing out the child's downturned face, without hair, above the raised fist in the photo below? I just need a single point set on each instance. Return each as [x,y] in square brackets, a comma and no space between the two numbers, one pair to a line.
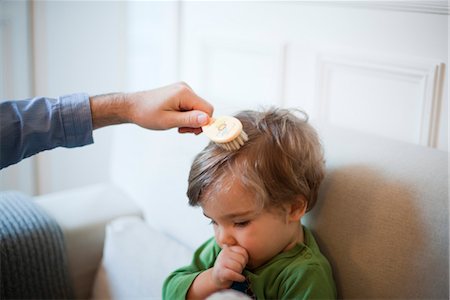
[238,220]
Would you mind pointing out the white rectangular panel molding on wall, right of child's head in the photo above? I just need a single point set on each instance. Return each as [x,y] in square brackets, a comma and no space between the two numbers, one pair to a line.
[428,75]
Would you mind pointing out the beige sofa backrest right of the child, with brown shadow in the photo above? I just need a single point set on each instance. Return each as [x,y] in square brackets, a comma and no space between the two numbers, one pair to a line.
[382,217]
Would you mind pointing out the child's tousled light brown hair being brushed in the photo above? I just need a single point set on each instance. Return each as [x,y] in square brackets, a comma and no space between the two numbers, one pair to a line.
[281,160]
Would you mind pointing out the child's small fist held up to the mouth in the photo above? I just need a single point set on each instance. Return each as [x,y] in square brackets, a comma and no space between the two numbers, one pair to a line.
[229,265]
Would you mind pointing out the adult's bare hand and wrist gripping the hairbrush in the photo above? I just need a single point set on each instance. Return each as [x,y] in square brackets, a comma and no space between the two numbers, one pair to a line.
[175,105]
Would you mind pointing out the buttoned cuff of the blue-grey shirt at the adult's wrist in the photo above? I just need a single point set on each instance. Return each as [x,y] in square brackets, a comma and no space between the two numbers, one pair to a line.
[76,119]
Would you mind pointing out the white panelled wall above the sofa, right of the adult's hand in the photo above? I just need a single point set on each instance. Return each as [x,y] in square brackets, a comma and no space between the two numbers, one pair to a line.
[371,66]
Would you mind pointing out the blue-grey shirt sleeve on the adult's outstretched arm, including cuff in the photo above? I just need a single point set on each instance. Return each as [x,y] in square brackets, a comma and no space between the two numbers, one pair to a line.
[33,125]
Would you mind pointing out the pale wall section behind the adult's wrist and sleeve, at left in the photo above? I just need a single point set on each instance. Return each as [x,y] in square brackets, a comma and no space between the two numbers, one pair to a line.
[79,47]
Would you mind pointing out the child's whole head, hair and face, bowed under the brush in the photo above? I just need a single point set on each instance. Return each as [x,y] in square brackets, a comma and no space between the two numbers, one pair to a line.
[256,196]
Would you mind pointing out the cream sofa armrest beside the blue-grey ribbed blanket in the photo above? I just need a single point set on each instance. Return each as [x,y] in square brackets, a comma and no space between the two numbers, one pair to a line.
[82,215]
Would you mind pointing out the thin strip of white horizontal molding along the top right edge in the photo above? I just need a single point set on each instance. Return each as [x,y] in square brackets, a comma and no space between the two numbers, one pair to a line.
[425,7]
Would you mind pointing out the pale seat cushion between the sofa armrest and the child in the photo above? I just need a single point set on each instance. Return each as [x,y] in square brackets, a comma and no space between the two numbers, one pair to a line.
[136,260]
